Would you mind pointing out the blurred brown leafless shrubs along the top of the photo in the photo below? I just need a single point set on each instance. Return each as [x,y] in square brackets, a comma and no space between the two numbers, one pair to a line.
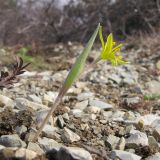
[52,21]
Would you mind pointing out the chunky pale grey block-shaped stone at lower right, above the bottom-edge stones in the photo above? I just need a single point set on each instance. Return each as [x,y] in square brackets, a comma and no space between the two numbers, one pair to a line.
[136,139]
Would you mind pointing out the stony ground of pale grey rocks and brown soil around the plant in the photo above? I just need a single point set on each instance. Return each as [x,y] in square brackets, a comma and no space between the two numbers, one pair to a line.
[110,113]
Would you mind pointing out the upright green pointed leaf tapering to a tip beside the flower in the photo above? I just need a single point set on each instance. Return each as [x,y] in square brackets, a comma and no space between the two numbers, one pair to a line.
[78,66]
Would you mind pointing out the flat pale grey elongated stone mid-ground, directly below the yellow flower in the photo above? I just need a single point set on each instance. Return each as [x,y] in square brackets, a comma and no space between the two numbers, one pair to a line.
[100,104]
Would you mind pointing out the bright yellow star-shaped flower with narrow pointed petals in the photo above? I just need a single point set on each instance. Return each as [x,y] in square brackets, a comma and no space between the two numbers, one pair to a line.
[108,50]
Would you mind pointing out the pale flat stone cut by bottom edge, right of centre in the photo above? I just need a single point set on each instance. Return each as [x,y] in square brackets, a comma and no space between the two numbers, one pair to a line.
[123,155]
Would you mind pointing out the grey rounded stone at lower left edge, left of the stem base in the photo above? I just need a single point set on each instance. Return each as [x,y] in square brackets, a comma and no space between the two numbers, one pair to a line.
[12,141]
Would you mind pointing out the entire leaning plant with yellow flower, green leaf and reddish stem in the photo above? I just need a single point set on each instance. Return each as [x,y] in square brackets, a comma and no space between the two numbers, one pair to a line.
[107,53]
